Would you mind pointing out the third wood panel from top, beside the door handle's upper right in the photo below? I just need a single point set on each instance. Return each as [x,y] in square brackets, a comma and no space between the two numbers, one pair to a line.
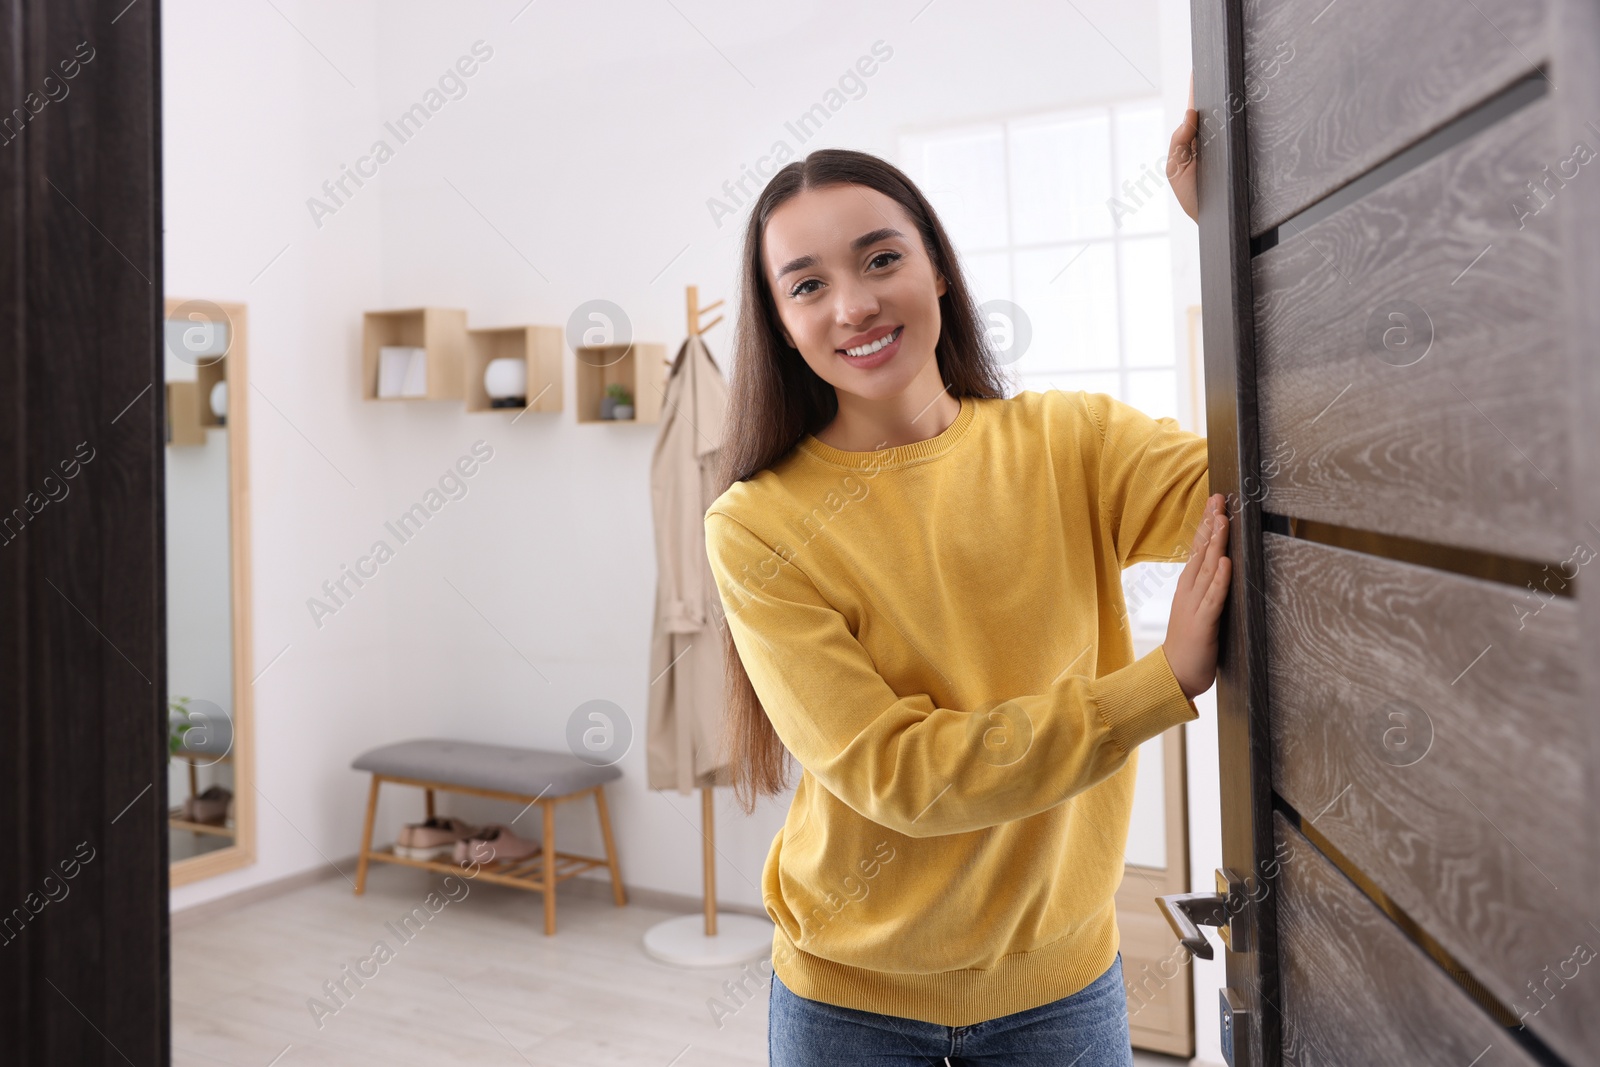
[1431,727]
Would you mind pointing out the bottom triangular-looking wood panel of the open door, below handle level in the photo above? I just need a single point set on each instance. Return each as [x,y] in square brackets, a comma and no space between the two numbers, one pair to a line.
[1354,988]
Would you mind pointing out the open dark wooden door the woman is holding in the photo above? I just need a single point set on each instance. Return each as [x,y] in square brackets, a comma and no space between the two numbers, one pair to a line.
[1401,271]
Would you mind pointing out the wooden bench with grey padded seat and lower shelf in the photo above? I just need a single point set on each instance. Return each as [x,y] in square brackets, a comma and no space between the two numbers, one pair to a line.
[529,777]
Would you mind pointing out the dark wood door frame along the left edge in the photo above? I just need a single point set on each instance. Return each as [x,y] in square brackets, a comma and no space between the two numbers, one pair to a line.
[84,901]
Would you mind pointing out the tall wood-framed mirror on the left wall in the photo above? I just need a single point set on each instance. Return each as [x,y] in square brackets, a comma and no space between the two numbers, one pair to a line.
[209,669]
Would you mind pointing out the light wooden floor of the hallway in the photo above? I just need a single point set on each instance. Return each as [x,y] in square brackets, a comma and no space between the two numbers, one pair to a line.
[479,985]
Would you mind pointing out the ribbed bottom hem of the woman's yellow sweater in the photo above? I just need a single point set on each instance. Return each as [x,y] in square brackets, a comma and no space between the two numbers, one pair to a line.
[958,999]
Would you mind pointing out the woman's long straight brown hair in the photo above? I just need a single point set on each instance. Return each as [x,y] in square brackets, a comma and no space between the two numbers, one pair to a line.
[777,399]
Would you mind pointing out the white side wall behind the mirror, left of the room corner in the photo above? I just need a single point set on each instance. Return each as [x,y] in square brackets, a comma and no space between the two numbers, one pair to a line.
[252,116]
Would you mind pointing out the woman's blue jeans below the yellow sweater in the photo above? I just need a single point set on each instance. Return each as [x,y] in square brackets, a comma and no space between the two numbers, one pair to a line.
[1087,1029]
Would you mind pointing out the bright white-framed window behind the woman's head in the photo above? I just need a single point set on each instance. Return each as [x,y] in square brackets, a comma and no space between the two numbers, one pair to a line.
[1066,217]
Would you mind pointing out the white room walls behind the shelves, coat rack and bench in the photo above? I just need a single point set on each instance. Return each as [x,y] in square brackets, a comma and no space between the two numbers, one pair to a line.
[578,164]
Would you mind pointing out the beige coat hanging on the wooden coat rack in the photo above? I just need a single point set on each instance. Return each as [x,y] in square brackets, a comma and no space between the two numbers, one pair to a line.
[687,644]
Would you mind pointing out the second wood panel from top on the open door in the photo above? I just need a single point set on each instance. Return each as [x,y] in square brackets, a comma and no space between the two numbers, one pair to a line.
[1412,361]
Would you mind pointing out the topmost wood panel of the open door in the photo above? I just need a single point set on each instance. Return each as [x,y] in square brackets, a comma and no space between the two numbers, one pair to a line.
[1337,89]
